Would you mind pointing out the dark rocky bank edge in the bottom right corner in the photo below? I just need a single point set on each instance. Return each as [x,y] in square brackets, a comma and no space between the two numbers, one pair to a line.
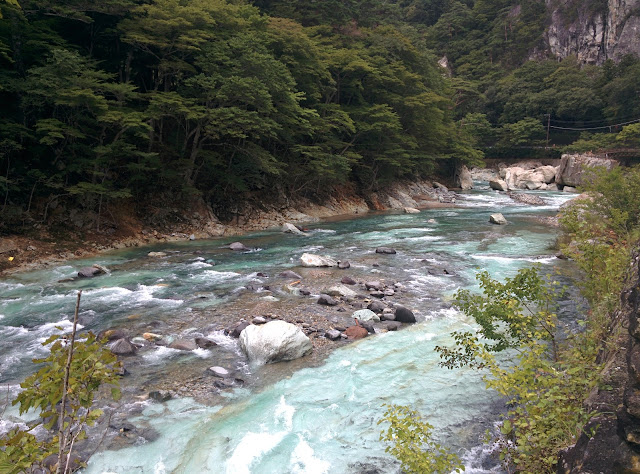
[611,440]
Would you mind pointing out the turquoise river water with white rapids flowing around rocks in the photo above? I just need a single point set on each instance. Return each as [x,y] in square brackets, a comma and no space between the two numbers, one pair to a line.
[315,415]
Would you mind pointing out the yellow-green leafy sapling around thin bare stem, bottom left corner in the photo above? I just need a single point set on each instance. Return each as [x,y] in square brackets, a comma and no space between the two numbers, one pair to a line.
[92,366]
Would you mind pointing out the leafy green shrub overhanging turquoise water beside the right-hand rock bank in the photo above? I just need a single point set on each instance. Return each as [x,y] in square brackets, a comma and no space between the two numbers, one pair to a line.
[544,380]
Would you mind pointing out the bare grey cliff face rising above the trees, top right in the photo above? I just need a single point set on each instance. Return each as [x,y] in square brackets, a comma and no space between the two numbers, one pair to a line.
[594,30]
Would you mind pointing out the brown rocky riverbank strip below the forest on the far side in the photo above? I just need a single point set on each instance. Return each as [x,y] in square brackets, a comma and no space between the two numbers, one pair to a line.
[44,246]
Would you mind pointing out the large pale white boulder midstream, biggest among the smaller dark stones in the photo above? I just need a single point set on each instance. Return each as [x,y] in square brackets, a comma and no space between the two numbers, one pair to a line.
[274,342]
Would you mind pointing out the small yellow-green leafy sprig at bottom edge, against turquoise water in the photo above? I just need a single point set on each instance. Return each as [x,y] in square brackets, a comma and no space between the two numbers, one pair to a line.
[410,440]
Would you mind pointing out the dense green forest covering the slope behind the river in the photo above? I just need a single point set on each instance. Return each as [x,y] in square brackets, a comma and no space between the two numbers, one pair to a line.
[221,100]
